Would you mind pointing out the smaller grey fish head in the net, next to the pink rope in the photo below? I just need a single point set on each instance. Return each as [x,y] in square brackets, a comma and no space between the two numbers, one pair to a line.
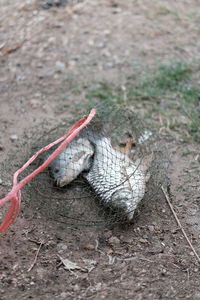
[71,162]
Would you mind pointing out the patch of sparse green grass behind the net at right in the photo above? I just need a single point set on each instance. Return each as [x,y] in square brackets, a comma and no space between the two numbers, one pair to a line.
[166,93]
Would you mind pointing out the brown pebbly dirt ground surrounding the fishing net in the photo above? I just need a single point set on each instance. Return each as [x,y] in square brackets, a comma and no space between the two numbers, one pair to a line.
[49,56]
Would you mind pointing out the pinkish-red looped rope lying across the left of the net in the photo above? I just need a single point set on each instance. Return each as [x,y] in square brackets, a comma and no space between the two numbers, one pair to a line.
[15,194]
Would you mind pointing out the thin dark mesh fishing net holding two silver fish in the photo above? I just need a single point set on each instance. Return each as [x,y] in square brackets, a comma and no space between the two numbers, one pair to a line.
[103,176]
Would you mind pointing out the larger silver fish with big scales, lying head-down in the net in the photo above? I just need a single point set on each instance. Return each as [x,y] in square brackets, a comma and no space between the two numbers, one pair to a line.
[115,178]
